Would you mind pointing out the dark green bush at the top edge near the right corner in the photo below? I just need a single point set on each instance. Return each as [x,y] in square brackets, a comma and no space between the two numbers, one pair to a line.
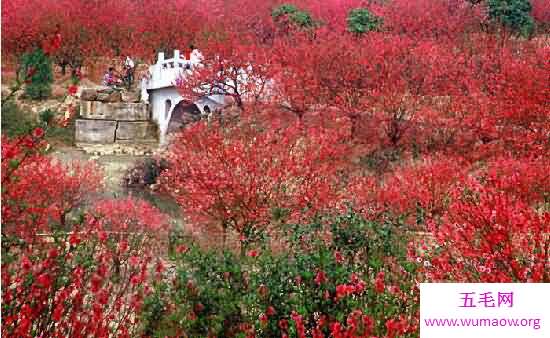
[514,14]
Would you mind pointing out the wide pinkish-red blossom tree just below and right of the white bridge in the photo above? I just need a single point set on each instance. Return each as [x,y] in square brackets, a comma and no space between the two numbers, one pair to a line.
[238,177]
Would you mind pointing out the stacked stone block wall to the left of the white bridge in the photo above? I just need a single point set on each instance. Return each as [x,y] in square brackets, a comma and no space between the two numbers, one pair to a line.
[109,116]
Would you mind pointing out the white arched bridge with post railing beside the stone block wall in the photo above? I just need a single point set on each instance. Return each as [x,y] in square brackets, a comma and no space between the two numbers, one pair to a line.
[160,90]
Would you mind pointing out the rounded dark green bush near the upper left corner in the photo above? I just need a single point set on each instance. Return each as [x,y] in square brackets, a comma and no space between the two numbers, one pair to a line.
[36,69]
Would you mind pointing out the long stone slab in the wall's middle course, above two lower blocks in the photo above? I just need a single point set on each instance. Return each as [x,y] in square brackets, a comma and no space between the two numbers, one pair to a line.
[114,111]
